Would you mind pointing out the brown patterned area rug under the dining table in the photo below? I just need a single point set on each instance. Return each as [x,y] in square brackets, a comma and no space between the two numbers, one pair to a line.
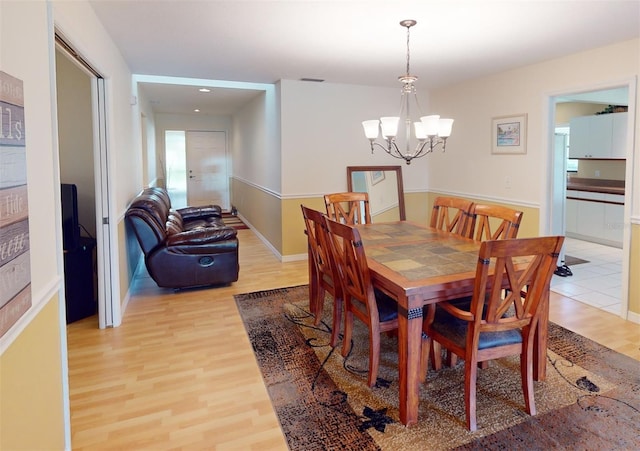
[590,400]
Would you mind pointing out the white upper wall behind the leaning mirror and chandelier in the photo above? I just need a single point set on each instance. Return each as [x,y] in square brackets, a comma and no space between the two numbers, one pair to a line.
[322,134]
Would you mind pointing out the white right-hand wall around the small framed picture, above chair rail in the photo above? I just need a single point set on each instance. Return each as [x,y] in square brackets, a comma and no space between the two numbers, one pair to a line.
[469,168]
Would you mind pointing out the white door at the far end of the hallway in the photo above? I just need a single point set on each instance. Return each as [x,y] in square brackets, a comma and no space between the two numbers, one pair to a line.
[207,175]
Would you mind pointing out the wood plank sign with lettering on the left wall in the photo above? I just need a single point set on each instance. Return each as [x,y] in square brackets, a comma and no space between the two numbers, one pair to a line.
[15,262]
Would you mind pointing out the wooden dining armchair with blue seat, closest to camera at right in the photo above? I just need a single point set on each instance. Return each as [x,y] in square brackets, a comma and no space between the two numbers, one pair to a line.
[498,323]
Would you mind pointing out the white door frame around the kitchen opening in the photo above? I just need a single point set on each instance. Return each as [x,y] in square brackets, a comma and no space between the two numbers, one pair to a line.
[546,211]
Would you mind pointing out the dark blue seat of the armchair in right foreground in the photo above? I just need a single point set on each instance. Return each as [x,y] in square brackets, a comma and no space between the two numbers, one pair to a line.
[456,330]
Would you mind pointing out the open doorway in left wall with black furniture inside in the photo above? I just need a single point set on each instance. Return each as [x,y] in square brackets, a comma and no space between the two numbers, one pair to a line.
[81,101]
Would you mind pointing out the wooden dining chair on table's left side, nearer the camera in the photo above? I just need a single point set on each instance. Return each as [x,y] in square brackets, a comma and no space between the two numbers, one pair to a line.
[375,309]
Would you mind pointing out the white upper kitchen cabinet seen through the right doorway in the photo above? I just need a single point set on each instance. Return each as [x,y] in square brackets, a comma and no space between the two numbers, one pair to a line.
[598,136]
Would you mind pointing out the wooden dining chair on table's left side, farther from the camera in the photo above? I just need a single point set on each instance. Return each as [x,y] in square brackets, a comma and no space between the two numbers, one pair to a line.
[322,276]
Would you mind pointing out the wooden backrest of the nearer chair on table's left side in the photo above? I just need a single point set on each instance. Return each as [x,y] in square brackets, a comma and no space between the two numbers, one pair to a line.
[351,264]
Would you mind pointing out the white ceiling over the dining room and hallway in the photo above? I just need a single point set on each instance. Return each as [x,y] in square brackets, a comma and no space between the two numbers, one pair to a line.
[347,41]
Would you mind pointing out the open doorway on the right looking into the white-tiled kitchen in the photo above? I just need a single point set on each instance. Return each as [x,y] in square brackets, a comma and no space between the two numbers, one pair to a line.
[588,195]
